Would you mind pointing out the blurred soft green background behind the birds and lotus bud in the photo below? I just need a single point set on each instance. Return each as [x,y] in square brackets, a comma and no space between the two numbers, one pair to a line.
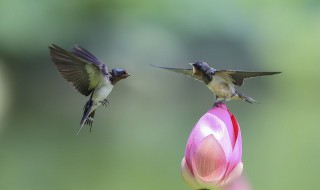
[139,140]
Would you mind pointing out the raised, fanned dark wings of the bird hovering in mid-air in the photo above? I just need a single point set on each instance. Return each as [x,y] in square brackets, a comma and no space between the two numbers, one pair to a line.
[79,67]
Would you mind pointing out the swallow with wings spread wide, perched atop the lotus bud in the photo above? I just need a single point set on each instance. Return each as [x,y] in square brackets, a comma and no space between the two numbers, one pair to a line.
[220,82]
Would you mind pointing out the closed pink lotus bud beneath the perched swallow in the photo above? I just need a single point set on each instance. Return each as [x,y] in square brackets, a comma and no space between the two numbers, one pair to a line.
[214,150]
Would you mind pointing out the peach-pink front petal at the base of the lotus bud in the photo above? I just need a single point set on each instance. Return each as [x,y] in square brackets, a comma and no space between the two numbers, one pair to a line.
[209,161]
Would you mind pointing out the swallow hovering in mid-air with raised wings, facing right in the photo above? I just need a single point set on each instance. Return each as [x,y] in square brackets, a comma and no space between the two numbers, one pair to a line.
[88,75]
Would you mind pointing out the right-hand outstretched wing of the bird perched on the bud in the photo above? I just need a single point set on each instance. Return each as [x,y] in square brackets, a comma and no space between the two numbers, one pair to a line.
[238,77]
